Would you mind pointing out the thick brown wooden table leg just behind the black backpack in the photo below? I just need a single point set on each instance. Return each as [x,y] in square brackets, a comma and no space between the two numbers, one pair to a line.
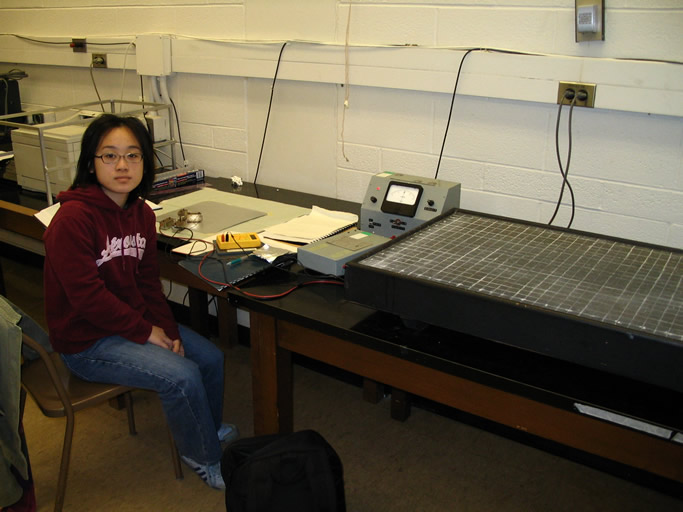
[271,378]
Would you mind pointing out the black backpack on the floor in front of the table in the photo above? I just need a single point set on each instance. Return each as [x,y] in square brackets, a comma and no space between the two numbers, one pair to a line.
[299,472]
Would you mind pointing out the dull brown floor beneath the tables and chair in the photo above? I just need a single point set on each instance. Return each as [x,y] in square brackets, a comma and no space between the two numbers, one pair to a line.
[428,463]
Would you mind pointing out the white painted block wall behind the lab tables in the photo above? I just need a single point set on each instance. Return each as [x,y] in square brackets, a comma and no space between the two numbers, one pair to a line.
[627,162]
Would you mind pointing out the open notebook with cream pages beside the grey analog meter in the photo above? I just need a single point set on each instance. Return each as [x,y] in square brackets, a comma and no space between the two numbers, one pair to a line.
[316,225]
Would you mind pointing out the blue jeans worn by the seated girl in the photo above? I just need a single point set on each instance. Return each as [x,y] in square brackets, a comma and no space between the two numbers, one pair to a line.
[190,387]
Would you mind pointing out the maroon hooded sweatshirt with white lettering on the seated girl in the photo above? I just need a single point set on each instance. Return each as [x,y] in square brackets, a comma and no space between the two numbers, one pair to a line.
[101,272]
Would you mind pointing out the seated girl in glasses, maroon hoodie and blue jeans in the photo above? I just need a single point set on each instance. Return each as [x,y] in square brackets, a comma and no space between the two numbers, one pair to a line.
[106,311]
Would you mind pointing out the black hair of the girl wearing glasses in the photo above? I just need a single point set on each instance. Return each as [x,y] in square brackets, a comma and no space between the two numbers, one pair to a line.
[92,137]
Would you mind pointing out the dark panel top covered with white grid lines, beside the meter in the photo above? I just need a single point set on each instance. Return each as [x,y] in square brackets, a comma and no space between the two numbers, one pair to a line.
[613,282]
